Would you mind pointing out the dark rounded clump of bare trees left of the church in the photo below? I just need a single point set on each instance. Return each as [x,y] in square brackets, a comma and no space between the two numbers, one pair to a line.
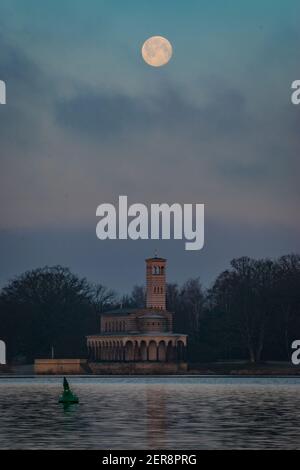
[50,308]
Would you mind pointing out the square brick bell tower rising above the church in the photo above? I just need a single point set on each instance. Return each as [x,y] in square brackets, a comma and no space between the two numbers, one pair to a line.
[156,283]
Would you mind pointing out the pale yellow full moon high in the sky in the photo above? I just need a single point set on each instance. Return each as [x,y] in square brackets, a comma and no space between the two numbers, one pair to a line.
[157,51]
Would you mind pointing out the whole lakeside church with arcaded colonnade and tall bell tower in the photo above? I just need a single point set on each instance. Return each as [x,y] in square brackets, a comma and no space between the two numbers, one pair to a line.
[140,340]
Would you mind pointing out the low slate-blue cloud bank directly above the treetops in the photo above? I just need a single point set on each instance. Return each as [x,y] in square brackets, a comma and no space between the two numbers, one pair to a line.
[120,264]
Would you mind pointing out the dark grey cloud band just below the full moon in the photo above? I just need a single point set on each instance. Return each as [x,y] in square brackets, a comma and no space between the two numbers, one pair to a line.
[107,115]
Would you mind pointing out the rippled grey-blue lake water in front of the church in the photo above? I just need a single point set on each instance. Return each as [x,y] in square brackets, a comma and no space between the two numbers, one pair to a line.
[151,413]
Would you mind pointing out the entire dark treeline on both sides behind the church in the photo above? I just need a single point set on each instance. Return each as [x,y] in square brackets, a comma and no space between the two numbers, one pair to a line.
[251,312]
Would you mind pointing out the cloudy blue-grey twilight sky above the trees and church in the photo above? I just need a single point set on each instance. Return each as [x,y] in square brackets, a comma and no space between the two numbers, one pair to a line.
[87,120]
